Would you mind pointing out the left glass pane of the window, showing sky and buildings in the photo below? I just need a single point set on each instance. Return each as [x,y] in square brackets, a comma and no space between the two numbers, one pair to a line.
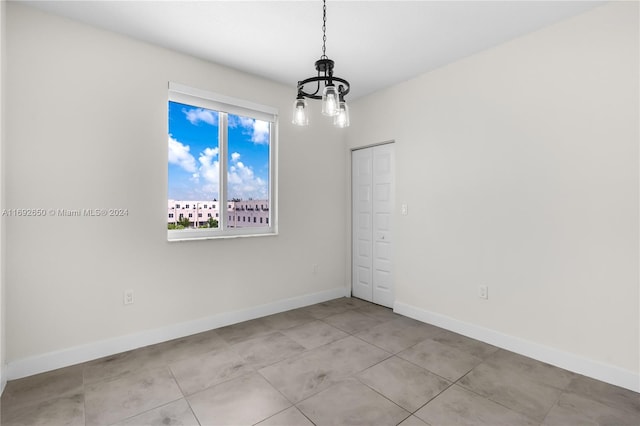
[193,164]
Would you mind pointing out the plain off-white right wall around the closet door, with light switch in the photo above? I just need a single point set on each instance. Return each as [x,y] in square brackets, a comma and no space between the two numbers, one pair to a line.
[519,166]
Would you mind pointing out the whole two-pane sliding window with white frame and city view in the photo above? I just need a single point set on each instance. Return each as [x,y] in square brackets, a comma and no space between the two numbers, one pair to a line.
[220,149]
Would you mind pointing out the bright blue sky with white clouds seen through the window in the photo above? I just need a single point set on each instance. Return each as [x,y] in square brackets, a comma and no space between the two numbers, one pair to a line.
[194,159]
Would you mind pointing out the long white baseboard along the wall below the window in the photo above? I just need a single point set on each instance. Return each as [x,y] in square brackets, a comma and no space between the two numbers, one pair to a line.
[66,357]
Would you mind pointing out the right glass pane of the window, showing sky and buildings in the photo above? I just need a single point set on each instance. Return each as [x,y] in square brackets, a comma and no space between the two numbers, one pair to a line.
[248,167]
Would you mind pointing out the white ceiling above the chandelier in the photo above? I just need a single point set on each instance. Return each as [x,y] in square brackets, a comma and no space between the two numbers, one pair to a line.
[375,44]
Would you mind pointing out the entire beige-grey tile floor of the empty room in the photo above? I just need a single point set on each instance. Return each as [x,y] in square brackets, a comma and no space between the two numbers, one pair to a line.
[342,362]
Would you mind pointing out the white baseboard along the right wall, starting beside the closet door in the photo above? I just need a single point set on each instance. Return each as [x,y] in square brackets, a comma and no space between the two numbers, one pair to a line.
[577,364]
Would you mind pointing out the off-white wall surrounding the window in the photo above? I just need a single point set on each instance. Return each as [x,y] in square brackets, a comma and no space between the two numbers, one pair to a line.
[87,128]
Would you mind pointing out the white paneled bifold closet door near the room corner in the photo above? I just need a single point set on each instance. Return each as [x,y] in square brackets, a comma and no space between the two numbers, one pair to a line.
[373,200]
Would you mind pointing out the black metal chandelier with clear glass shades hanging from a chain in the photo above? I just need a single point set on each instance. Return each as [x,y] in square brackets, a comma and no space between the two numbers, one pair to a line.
[333,103]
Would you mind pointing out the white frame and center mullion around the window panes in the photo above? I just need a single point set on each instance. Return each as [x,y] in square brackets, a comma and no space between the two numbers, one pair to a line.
[225,105]
